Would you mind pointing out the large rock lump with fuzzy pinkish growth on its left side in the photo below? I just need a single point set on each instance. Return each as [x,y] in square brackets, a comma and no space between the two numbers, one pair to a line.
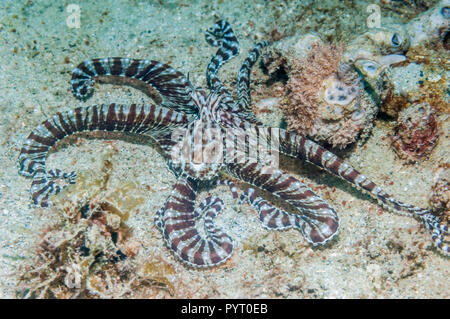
[325,99]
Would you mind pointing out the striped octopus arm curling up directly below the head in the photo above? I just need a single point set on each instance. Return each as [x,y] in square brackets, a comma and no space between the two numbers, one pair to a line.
[178,218]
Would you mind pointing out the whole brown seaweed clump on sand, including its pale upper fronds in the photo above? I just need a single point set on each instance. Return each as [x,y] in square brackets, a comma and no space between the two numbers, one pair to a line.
[89,251]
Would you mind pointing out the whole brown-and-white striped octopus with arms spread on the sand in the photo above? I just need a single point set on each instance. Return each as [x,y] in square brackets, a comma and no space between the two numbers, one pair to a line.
[191,126]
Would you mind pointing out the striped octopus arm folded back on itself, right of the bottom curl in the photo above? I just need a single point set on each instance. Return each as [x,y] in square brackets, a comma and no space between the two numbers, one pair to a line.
[317,221]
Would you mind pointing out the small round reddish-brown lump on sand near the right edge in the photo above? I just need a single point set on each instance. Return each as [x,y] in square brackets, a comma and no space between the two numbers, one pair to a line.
[416,133]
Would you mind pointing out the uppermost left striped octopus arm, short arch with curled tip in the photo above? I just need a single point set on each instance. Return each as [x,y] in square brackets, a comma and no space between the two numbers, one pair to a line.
[171,84]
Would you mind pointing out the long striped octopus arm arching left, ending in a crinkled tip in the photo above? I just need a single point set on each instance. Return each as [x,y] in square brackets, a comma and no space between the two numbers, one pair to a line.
[152,120]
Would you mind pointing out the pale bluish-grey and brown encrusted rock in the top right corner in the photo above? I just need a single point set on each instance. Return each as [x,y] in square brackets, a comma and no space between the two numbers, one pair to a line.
[396,60]
